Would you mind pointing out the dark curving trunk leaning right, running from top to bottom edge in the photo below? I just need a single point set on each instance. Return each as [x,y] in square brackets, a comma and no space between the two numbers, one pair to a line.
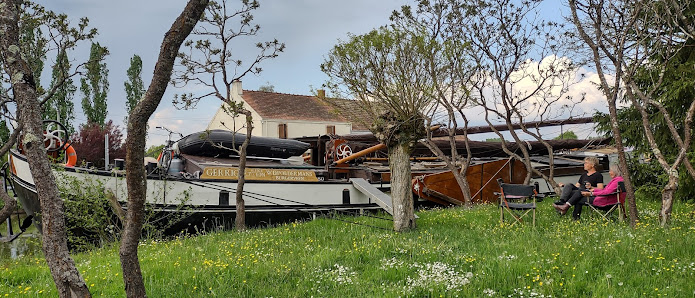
[135,144]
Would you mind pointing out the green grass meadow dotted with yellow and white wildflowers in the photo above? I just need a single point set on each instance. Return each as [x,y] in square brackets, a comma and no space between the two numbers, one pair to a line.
[454,252]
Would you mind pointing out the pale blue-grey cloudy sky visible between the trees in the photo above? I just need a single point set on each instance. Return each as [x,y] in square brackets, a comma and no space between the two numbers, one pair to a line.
[309,29]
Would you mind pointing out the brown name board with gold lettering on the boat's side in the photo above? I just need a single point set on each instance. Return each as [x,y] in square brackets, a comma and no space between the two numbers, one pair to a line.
[229,173]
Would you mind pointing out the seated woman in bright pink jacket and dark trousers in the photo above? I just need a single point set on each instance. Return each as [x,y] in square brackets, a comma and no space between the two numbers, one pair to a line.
[599,197]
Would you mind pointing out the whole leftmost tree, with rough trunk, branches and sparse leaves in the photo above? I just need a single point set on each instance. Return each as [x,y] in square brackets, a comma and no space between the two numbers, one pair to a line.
[18,72]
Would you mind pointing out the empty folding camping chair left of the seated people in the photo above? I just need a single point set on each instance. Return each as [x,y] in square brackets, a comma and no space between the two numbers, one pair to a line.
[513,200]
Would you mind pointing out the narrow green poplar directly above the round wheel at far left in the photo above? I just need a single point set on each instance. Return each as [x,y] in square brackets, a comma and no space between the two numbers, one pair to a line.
[60,107]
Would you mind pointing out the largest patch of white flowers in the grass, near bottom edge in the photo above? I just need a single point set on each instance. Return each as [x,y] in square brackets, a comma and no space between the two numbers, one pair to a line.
[440,274]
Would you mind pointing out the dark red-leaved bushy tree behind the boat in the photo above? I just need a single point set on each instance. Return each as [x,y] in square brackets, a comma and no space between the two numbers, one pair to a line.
[89,143]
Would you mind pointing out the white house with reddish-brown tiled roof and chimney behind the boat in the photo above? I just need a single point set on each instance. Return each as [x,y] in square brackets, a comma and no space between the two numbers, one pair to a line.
[286,115]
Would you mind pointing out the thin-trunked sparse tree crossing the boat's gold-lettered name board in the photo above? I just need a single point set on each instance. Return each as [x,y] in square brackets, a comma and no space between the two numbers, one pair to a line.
[210,62]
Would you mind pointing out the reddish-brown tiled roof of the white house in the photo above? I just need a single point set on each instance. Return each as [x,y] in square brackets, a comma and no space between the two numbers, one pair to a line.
[271,105]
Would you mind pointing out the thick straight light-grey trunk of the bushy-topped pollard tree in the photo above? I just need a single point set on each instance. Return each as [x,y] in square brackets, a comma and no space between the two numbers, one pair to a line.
[401,193]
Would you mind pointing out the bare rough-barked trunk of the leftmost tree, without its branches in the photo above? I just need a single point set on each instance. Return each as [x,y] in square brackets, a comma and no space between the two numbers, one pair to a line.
[67,278]
